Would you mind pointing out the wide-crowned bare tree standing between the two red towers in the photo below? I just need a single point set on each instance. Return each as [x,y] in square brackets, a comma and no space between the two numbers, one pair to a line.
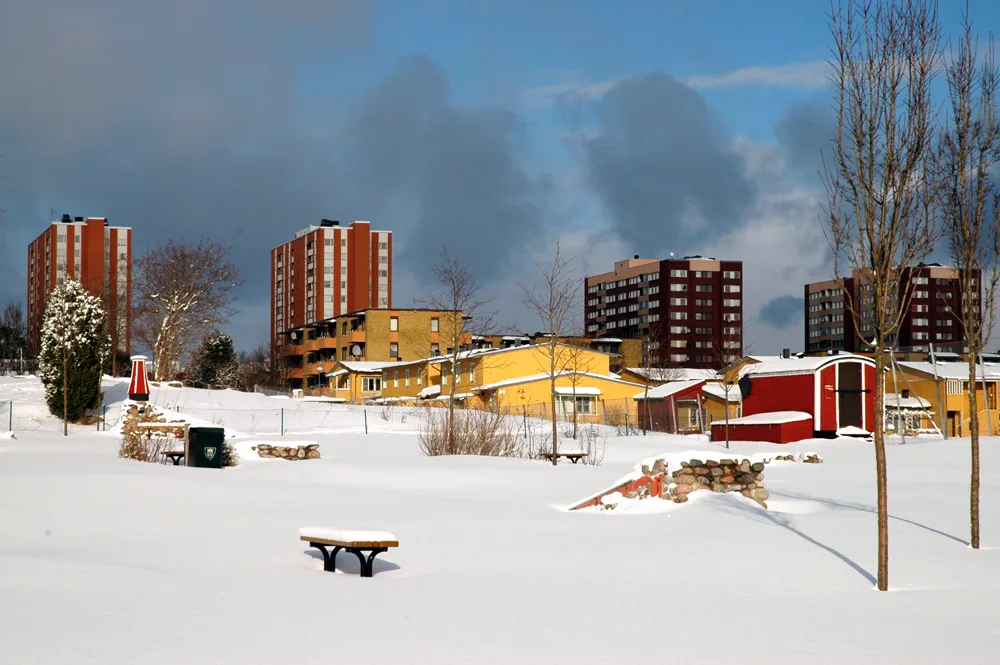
[184,292]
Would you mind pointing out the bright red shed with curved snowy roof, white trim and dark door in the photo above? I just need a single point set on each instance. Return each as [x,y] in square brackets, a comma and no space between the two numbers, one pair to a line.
[836,390]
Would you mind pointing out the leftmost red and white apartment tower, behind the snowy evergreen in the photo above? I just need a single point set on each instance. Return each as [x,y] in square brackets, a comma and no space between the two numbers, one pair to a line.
[92,252]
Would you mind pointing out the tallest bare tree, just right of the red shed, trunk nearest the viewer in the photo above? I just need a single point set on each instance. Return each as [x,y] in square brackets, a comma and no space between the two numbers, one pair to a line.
[878,177]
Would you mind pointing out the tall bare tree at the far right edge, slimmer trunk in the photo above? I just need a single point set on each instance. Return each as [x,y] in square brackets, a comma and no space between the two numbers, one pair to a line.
[969,149]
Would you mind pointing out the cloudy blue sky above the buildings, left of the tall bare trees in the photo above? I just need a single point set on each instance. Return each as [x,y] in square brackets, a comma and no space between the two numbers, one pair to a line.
[627,127]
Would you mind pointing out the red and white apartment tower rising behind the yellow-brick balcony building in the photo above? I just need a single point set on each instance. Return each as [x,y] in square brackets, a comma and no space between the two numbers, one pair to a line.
[327,271]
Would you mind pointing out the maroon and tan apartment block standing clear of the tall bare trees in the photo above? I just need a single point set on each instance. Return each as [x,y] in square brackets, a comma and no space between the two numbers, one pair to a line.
[689,310]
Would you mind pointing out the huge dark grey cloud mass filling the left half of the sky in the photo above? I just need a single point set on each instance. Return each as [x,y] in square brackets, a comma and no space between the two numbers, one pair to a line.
[228,118]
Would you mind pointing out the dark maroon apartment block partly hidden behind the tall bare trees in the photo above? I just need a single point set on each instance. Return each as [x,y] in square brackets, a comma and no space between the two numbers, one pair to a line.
[935,296]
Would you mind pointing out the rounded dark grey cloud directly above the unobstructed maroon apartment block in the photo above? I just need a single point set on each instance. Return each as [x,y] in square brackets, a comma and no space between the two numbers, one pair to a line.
[660,154]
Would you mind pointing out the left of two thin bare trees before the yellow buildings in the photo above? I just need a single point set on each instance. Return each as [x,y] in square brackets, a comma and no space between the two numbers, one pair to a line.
[464,311]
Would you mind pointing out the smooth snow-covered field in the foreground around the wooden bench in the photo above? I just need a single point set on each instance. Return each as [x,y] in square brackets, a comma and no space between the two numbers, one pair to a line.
[109,561]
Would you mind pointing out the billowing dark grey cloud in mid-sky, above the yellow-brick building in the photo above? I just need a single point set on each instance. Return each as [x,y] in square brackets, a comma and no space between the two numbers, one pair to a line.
[447,174]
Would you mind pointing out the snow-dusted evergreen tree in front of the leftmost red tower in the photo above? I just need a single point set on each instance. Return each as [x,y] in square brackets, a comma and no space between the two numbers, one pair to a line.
[75,344]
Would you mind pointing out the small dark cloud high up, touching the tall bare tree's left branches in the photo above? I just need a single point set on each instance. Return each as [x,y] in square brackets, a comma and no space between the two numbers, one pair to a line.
[804,133]
